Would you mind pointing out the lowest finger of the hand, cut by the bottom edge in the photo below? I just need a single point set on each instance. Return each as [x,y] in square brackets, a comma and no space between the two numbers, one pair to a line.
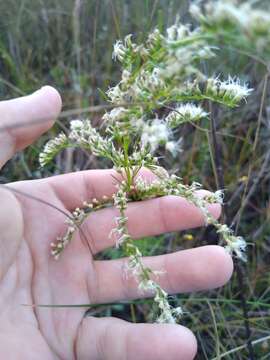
[114,339]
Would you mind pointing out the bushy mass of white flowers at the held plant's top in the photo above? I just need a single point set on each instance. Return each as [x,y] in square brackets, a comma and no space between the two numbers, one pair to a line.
[176,60]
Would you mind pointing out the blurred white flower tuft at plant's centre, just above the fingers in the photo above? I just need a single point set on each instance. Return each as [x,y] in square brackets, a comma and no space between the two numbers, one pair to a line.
[154,134]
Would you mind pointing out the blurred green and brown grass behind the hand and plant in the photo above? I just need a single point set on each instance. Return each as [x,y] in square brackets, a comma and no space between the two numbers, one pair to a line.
[68,44]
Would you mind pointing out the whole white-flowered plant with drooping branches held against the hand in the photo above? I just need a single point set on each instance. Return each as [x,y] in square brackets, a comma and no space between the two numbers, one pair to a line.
[162,86]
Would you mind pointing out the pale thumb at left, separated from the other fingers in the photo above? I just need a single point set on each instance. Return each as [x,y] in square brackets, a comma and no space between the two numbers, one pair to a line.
[22,120]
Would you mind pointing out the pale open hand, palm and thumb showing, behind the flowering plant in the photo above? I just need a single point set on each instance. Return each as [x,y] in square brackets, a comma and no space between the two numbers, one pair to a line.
[29,275]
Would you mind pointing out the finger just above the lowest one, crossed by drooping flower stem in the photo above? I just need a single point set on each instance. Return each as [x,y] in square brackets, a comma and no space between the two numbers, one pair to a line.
[197,269]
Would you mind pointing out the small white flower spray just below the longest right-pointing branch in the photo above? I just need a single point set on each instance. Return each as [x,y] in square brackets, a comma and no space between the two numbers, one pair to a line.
[185,113]
